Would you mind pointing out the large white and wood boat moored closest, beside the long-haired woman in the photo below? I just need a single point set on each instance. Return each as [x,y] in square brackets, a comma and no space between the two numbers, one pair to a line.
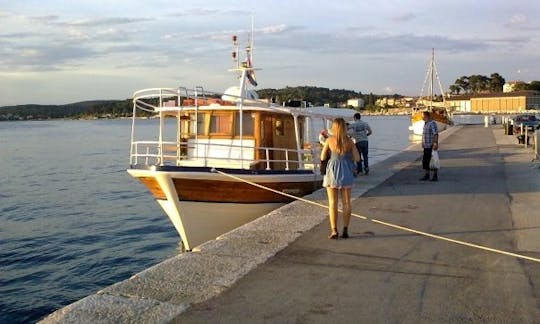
[199,132]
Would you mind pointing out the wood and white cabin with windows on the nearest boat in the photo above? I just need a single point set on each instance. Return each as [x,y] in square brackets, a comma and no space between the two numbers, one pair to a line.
[254,137]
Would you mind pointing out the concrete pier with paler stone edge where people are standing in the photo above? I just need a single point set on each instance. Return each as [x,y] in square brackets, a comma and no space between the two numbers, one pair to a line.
[282,268]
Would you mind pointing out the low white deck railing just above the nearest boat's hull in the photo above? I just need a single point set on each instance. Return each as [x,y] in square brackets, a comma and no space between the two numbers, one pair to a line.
[156,153]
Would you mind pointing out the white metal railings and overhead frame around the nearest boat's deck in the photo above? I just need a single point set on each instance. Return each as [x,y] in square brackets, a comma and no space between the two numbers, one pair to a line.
[172,101]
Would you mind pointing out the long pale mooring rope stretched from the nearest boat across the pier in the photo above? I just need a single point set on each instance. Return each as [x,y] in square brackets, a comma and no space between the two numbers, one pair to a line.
[435,236]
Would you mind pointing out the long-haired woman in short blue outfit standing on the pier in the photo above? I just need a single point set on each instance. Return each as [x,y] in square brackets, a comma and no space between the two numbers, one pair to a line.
[339,175]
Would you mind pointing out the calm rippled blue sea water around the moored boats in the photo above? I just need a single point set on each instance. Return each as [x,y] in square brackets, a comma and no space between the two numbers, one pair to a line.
[71,219]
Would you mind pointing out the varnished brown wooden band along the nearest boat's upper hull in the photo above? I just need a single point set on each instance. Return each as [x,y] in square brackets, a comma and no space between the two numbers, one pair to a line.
[231,191]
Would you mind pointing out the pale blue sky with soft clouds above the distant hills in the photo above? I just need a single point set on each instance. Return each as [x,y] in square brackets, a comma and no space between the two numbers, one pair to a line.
[65,51]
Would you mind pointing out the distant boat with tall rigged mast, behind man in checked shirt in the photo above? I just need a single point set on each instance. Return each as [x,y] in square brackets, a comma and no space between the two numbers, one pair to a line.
[438,110]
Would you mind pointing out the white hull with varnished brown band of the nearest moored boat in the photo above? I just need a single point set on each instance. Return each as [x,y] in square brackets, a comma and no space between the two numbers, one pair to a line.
[203,204]
